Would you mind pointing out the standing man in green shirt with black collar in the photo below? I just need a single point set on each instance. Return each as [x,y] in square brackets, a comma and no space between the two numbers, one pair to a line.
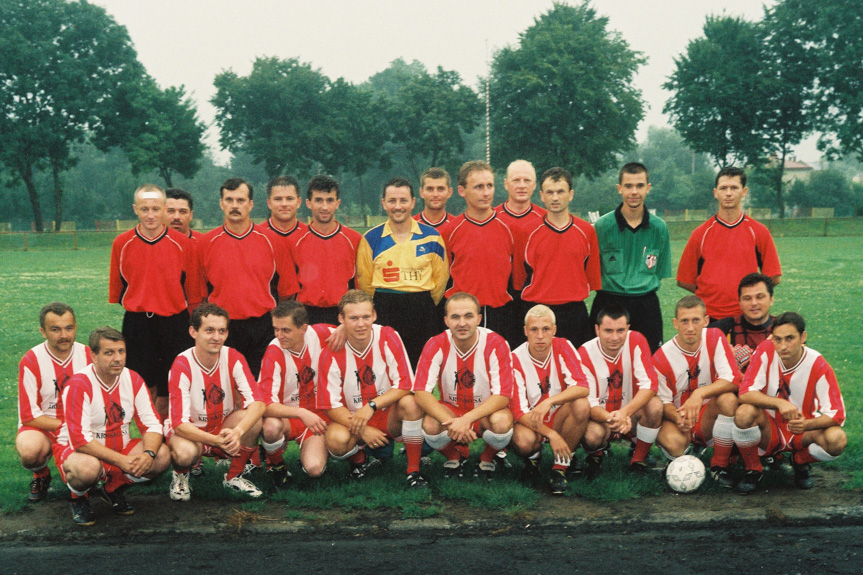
[636,255]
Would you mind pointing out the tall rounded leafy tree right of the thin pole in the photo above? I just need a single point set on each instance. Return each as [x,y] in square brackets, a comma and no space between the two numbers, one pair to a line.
[564,94]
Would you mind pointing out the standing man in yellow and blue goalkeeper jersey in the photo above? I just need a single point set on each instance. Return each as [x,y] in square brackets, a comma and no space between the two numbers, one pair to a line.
[403,265]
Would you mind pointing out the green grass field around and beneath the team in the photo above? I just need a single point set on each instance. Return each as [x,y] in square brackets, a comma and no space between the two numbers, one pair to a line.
[823,280]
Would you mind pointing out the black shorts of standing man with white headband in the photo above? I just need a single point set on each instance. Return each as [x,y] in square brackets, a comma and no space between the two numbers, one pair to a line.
[152,344]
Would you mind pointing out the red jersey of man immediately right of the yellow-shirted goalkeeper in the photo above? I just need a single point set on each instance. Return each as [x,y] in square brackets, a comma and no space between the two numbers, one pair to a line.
[480,255]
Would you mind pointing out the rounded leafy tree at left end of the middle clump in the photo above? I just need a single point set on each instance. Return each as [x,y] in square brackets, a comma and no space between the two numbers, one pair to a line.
[277,114]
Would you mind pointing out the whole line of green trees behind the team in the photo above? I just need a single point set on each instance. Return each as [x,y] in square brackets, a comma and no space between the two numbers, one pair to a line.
[83,123]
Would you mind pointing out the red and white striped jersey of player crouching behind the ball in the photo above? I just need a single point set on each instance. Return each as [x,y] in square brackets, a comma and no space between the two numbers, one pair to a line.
[681,372]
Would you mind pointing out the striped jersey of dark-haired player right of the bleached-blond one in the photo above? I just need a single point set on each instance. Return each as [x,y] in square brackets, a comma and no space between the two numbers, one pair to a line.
[614,381]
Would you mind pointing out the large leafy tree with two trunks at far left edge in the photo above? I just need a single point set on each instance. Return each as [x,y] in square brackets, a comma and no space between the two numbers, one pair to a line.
[61,63]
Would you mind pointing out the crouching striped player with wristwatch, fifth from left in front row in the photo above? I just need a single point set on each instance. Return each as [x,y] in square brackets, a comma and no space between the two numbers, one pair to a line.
[366,389]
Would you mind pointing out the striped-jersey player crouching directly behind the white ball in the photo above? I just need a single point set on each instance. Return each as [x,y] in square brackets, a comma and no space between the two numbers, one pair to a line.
[698,382]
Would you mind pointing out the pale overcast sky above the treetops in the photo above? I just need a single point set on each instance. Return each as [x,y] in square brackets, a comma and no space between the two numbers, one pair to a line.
[190,41]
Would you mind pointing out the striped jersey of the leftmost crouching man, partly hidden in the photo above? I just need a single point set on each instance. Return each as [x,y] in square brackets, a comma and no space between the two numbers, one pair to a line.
[42,378]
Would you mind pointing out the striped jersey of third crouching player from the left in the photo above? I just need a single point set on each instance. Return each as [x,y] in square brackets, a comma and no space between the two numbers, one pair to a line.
[205,397]
